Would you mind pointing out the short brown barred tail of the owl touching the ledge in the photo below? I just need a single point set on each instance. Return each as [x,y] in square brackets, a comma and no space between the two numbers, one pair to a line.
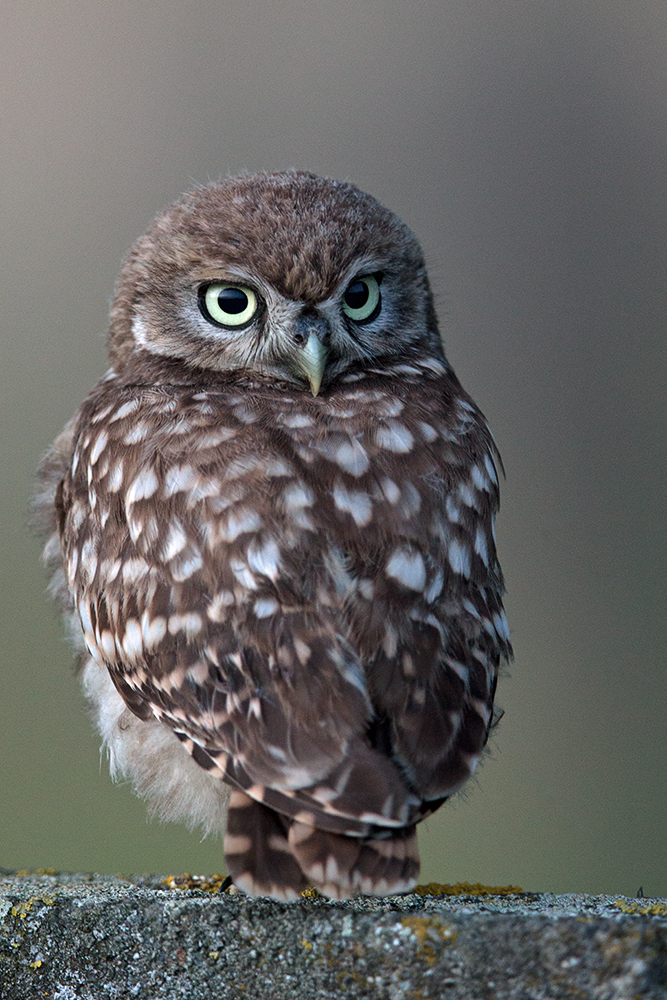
[270,855]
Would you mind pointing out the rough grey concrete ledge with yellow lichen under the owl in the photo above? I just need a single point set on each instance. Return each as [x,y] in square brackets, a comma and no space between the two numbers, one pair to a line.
[79,937]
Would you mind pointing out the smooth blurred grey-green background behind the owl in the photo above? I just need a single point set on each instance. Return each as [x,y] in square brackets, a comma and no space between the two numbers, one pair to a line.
[526,145]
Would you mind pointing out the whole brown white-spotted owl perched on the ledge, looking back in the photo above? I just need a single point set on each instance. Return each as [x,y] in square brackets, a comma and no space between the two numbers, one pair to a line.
[271,527]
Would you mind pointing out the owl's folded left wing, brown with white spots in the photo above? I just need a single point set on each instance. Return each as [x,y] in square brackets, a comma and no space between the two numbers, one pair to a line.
[204,597]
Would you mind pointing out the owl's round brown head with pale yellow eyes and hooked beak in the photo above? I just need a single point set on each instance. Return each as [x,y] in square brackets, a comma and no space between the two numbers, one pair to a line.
[284,276]
